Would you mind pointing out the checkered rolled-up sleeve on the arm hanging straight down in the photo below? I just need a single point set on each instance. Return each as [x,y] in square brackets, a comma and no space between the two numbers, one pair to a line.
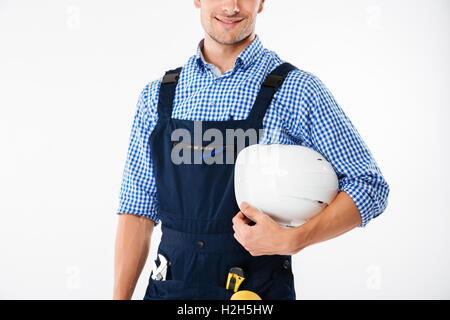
[138,187]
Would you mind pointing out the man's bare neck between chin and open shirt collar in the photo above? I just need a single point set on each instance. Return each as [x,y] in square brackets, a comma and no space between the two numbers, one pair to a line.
[224,56]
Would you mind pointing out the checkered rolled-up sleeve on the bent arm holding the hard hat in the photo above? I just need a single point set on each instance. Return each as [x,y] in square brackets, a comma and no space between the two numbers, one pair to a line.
[330,132]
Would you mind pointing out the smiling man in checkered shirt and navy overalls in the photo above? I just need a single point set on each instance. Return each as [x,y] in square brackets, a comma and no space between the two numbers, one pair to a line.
[229,83]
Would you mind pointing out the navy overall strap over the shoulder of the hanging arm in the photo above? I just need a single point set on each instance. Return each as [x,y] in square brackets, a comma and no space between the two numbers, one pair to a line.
[167,92]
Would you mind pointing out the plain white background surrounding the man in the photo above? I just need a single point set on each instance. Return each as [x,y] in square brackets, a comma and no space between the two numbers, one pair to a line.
[70,75]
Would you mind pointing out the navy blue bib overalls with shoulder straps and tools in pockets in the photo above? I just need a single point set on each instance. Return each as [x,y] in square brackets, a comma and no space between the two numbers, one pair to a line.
[196,207]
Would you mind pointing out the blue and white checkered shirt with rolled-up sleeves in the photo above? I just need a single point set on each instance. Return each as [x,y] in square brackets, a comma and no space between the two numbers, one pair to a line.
[303,112]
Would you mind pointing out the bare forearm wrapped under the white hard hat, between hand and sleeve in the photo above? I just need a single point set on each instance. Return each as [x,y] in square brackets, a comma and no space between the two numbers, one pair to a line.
[340,216]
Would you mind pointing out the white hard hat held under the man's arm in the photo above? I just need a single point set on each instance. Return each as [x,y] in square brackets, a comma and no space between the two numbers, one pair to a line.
[290,183]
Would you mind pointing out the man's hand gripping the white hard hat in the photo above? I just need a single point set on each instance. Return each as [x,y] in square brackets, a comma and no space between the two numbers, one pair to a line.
[266,237]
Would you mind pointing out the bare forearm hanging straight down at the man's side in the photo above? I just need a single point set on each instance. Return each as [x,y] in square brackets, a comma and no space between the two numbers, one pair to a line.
[131,251]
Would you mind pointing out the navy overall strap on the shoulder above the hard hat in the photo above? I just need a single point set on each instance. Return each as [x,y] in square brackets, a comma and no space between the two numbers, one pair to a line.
[268,89]
